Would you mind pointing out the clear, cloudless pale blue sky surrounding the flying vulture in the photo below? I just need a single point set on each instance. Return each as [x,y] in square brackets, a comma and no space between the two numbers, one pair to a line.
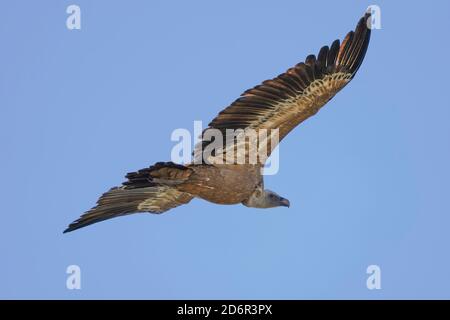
[368,178]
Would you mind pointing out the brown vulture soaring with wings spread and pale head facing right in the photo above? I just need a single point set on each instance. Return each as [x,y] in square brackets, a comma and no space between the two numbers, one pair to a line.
[281,103]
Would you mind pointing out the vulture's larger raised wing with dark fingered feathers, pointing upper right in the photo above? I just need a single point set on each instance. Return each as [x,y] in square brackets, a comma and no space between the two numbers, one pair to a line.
[287,100]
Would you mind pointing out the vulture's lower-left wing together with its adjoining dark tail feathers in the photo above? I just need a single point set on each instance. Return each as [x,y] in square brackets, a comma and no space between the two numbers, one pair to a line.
[148,190]
